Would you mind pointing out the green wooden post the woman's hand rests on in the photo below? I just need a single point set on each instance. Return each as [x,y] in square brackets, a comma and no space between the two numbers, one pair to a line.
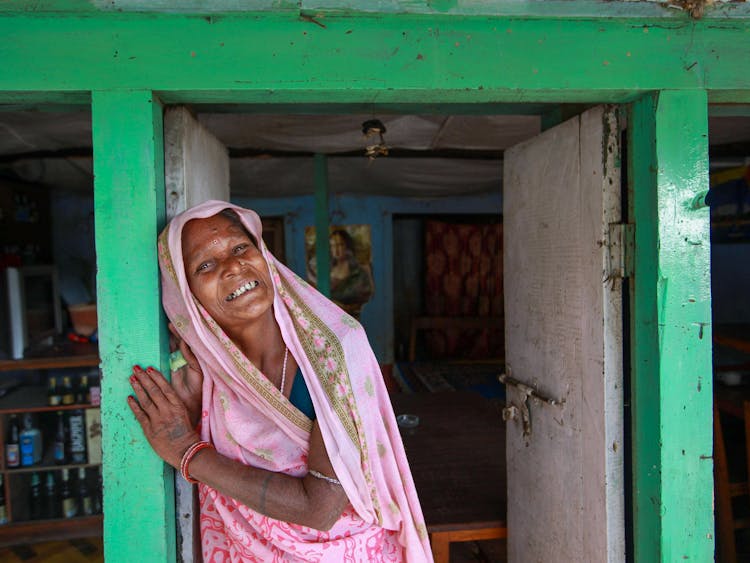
[129,210]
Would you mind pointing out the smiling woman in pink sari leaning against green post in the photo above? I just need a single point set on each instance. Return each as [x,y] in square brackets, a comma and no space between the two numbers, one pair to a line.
[275,484]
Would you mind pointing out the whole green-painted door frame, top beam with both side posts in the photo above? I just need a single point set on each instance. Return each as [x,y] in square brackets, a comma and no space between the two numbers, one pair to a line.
[126,65]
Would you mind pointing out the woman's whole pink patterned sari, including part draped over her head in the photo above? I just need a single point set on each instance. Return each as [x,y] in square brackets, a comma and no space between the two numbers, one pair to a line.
[248,419]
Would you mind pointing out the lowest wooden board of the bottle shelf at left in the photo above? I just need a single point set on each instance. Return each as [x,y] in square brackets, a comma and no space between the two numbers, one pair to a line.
[30,531]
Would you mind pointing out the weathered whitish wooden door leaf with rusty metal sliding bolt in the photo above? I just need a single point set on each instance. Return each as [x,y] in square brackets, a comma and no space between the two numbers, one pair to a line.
[563,336]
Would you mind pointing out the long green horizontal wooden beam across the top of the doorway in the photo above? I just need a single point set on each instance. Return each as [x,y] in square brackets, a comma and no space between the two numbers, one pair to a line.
[282,58]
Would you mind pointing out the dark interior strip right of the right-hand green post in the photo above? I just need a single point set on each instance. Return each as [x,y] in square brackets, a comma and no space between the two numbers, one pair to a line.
[729,200]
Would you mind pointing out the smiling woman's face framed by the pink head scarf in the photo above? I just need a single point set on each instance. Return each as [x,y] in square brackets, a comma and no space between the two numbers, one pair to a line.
[226,272]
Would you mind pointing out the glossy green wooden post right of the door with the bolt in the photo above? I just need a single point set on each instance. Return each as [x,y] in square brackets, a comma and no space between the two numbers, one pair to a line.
[672,377]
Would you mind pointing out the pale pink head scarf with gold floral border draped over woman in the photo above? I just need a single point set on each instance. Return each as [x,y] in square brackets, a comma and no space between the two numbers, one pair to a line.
[248,419]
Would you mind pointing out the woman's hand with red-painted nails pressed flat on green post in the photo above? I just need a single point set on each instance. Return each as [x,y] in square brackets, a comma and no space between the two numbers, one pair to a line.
[162,415]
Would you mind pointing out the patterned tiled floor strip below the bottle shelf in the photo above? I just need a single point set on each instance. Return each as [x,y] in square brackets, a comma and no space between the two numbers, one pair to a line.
[89,550]
